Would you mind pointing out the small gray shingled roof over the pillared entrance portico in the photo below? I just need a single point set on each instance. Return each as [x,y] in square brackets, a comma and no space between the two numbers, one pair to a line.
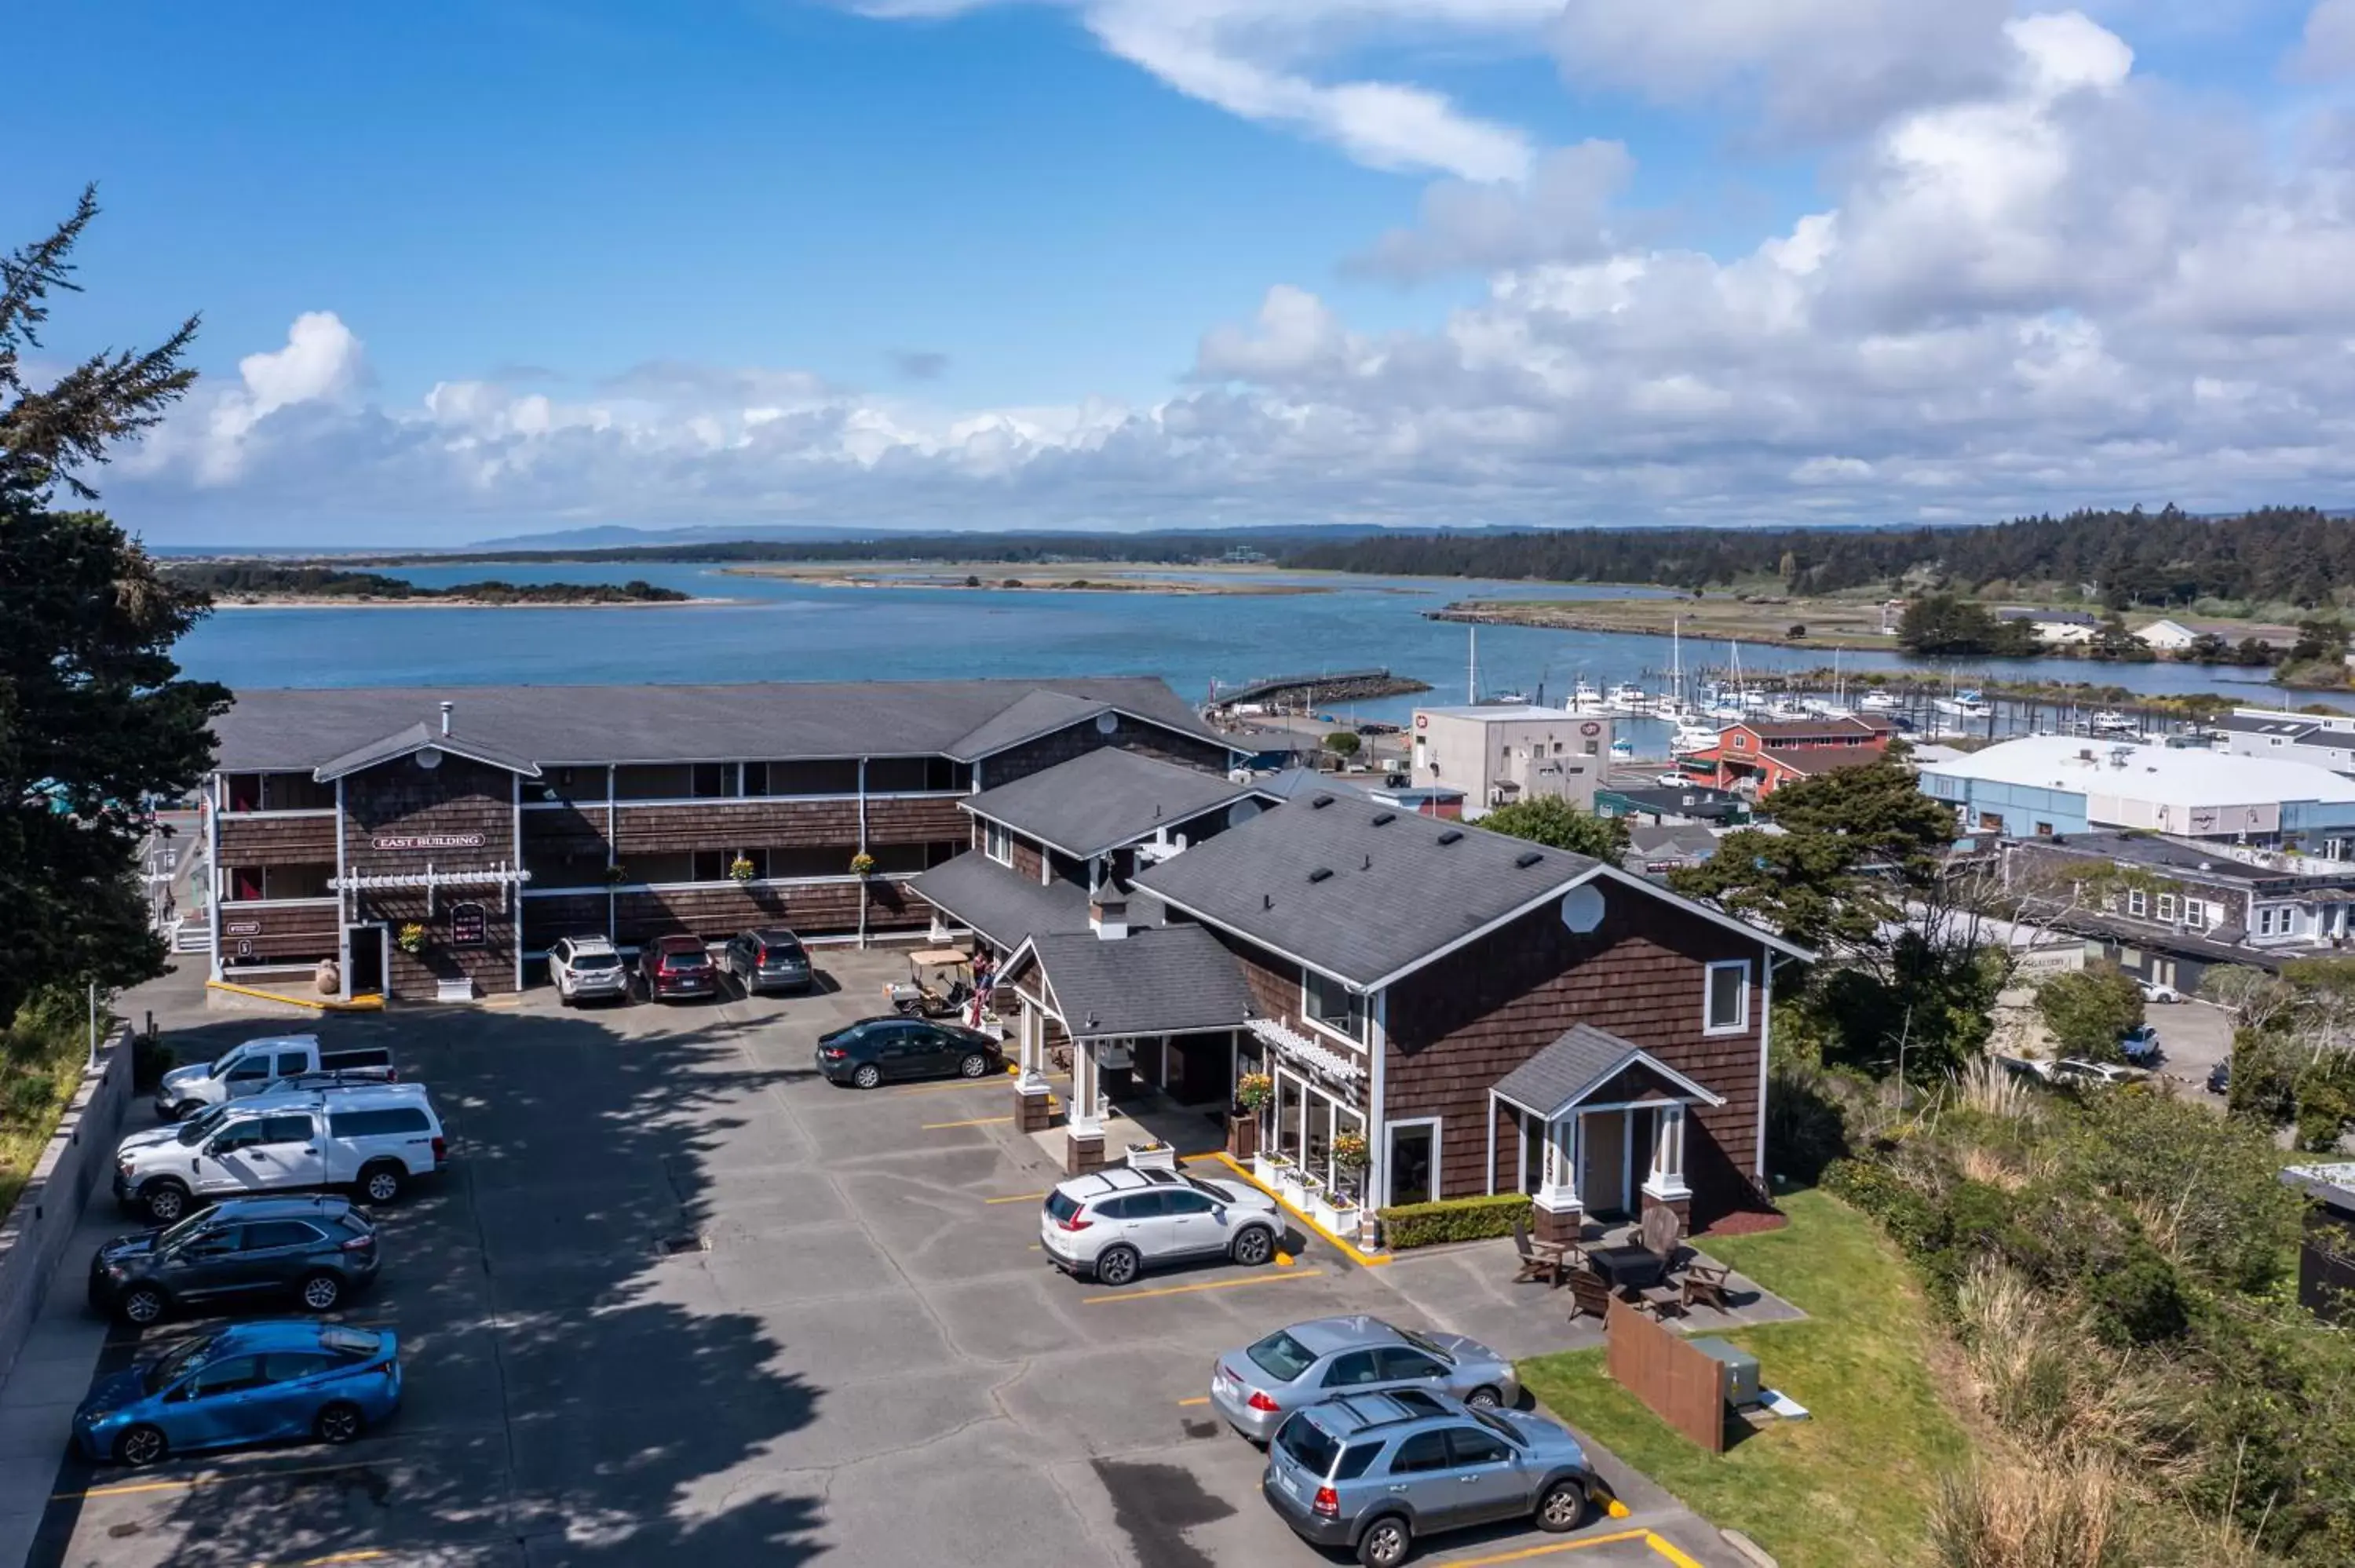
[1155,981]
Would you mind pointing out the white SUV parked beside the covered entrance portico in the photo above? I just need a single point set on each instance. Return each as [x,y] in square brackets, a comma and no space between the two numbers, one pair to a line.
[1117,1221]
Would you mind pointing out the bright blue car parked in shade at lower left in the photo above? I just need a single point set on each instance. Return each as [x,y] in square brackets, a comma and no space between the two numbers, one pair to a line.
[253,1383]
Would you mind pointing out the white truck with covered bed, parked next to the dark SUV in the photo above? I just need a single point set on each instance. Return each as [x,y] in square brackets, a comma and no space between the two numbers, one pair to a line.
[369,1138]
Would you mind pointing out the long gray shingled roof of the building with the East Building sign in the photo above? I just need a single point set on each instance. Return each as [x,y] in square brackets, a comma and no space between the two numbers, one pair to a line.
[686,724]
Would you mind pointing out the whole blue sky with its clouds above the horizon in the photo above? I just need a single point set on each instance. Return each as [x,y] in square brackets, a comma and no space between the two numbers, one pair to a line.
[503,267]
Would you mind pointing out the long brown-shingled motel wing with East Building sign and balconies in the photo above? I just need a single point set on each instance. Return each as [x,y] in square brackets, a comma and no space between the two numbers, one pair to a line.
[434,842]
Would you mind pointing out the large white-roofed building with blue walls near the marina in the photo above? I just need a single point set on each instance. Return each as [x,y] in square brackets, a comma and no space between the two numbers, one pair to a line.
[2064,785]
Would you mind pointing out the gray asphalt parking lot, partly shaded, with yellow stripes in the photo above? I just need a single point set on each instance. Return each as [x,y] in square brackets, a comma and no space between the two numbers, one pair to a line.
[679,1301]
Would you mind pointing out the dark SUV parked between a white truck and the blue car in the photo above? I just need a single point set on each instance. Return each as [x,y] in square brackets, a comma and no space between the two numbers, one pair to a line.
[314,1251]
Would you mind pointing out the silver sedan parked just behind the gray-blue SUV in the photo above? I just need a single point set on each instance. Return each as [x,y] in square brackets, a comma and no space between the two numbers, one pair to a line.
[1306,1364]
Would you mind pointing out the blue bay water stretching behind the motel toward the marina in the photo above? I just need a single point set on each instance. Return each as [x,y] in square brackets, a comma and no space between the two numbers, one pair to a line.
[785,630]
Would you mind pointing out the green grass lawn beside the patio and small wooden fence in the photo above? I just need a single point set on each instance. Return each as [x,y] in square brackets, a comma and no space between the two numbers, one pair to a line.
[1855,1482]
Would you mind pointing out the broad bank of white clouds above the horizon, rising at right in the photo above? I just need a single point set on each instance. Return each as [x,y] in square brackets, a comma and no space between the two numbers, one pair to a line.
[2059,286]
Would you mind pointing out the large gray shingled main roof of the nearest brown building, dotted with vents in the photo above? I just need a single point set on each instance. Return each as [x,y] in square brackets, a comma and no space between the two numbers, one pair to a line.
[1395,886]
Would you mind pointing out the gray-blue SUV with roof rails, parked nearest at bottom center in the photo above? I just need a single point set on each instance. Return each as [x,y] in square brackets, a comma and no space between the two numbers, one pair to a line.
[1374,1473]
